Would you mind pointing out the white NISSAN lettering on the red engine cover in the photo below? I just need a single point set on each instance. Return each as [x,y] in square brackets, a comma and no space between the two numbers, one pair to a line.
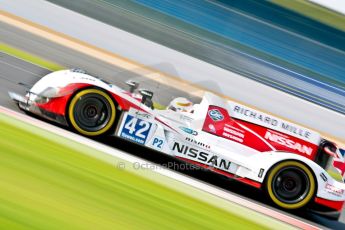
[289,143]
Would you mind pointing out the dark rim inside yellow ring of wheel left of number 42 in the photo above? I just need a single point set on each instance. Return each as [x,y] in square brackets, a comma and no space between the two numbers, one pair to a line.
[92,112]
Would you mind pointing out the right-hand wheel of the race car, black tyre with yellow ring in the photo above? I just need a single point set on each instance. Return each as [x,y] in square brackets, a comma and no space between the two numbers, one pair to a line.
[290,185]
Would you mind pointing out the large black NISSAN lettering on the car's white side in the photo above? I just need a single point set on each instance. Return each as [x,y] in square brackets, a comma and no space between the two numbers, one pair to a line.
[195,154]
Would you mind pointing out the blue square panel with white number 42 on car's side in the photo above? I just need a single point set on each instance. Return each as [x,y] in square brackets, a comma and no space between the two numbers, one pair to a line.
[135,129]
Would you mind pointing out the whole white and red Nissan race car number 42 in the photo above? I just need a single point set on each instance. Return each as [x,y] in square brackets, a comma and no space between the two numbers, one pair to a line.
[292,164]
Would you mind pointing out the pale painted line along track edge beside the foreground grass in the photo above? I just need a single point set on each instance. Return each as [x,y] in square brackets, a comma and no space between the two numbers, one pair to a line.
[163,171]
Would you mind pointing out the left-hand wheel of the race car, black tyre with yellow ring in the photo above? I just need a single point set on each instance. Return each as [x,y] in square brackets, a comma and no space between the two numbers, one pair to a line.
[91,112]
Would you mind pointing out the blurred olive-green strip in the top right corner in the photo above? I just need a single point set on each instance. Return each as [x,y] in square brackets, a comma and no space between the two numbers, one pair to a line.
[314,11]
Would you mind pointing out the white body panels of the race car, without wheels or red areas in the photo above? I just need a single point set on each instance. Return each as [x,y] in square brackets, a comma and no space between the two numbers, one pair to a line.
[173,132]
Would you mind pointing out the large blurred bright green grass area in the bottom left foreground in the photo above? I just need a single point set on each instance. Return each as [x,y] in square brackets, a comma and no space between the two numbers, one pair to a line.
[50,182]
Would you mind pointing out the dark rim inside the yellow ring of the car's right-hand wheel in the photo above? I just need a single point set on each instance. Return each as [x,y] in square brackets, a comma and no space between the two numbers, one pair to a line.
[291,185]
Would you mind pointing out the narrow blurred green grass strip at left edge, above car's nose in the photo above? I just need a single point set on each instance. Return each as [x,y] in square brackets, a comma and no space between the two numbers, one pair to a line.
[29,57]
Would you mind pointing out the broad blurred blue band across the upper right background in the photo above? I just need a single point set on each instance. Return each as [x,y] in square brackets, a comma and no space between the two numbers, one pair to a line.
[304,42]
